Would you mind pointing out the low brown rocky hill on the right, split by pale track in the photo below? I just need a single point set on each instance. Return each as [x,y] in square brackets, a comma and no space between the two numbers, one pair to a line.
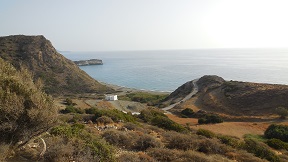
[237,98]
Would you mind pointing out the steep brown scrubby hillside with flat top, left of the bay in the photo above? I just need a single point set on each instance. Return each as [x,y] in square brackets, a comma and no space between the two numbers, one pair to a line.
[60,75]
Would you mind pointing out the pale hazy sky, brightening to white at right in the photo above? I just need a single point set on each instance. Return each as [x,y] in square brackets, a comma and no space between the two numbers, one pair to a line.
[104,25]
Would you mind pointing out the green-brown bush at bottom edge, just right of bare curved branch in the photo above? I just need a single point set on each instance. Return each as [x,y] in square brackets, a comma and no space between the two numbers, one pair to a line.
[75,143]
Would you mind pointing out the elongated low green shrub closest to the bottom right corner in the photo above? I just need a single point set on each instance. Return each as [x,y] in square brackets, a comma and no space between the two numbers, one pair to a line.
[260,150]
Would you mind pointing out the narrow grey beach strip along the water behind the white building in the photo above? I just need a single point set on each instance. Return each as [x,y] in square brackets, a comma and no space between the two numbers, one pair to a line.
[121,90]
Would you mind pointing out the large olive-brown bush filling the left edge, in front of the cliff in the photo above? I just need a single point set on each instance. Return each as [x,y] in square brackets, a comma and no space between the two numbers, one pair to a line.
[25,111]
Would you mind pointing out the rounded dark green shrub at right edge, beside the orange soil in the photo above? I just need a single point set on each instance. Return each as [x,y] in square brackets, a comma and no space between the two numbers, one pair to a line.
[277,131]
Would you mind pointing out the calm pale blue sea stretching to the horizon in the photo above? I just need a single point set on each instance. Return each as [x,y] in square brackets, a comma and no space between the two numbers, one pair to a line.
[165,70]
